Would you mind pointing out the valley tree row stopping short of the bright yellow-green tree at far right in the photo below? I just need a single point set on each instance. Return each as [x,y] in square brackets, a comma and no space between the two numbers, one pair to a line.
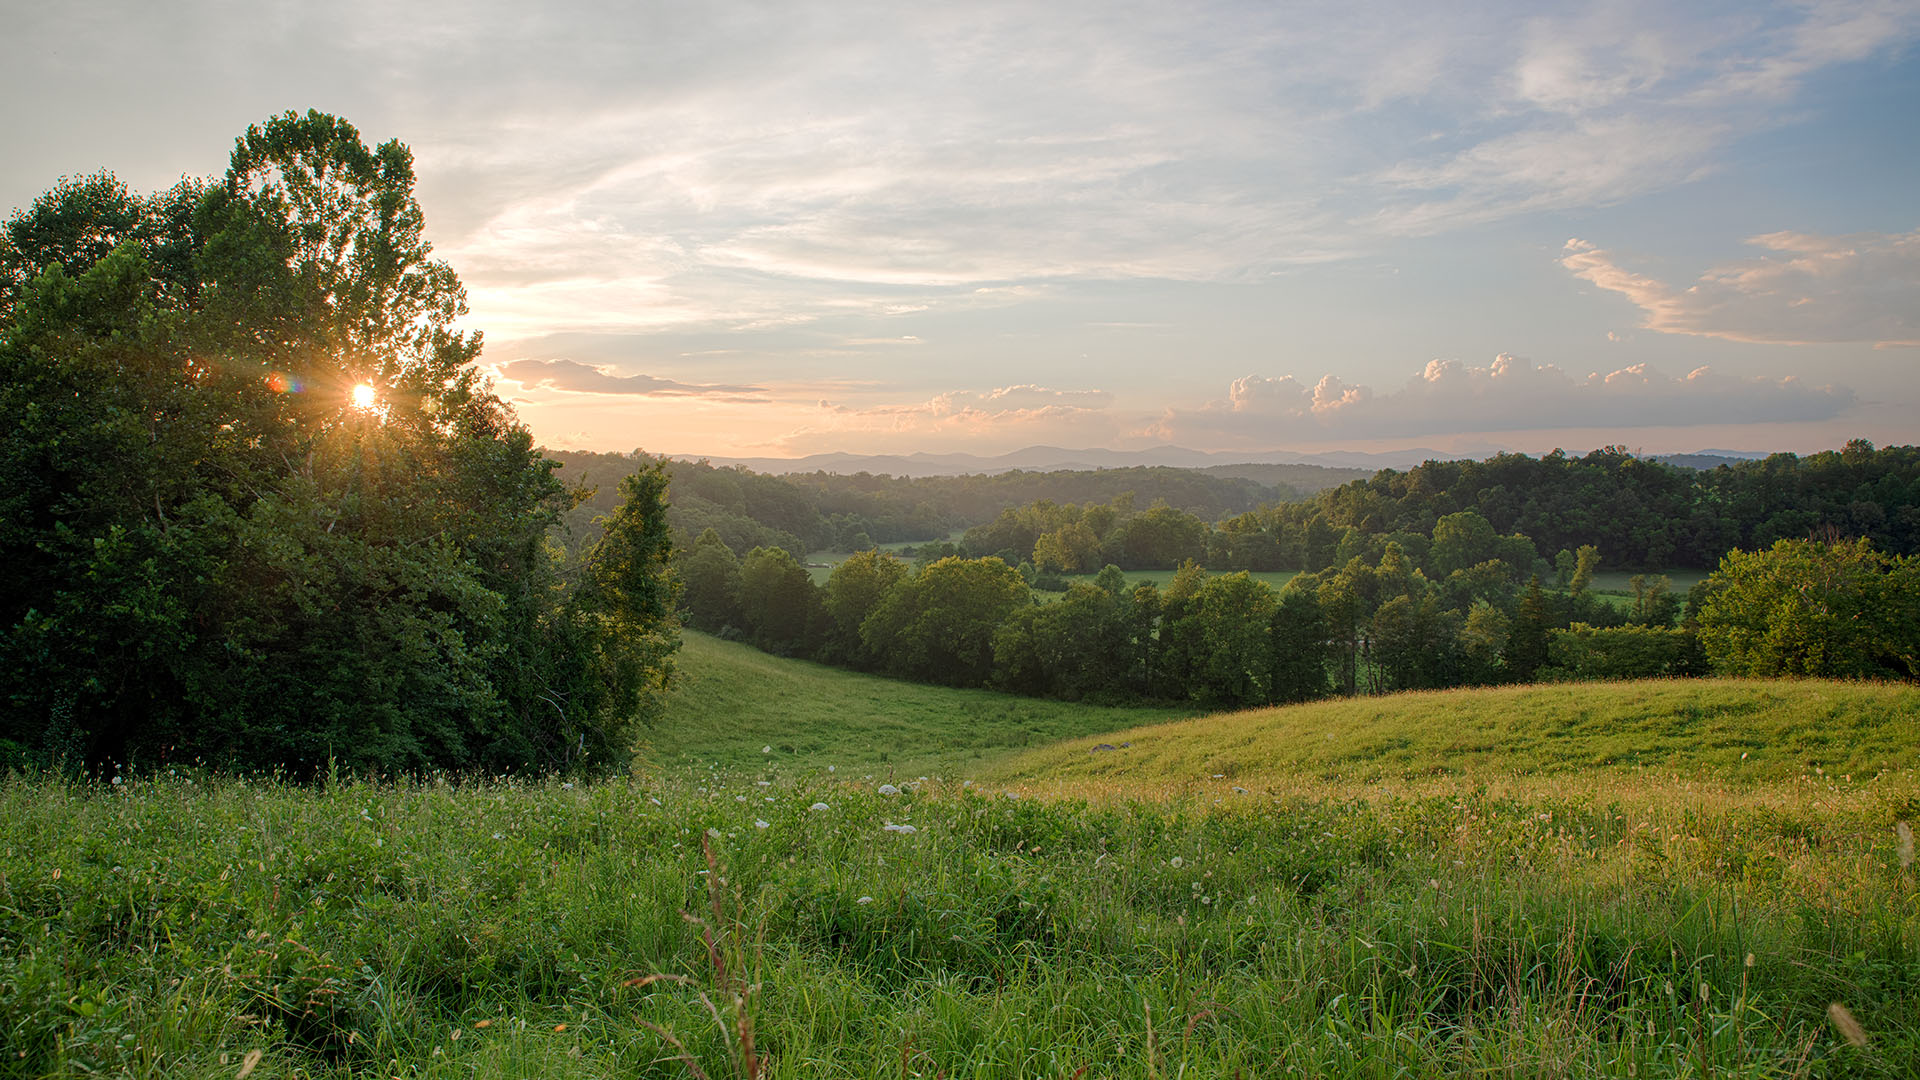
[1366,627]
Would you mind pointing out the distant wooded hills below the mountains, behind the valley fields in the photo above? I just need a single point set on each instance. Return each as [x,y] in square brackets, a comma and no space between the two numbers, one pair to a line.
[1644,514]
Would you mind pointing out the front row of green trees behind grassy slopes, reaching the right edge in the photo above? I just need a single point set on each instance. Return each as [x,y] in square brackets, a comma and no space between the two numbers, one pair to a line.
[1368,627]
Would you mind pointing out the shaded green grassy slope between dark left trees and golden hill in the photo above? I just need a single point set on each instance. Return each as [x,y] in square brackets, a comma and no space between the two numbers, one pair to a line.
[734,700]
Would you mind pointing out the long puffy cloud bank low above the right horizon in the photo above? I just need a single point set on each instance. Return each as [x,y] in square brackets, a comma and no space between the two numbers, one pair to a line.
[1506,395]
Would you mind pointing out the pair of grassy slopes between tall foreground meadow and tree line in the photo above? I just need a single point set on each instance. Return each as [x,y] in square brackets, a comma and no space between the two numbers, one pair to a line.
[734,700]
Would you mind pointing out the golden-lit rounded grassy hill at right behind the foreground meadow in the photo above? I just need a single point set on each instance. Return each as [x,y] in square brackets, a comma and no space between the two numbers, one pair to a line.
[1735,731]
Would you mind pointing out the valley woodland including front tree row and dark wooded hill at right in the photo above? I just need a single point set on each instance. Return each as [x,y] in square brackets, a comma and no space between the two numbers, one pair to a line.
[1397,589]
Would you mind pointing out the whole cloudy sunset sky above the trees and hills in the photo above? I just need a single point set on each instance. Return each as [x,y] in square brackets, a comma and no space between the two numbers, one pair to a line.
[780,230]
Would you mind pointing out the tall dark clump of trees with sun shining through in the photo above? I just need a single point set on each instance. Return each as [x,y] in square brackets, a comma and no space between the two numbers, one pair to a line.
[258,508]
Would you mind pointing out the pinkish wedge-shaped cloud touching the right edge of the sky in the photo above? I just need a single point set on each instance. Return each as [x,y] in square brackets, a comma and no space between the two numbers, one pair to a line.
[1808,289]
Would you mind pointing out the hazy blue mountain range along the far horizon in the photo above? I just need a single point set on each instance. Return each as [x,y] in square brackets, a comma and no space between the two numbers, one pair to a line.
[1053,458]
